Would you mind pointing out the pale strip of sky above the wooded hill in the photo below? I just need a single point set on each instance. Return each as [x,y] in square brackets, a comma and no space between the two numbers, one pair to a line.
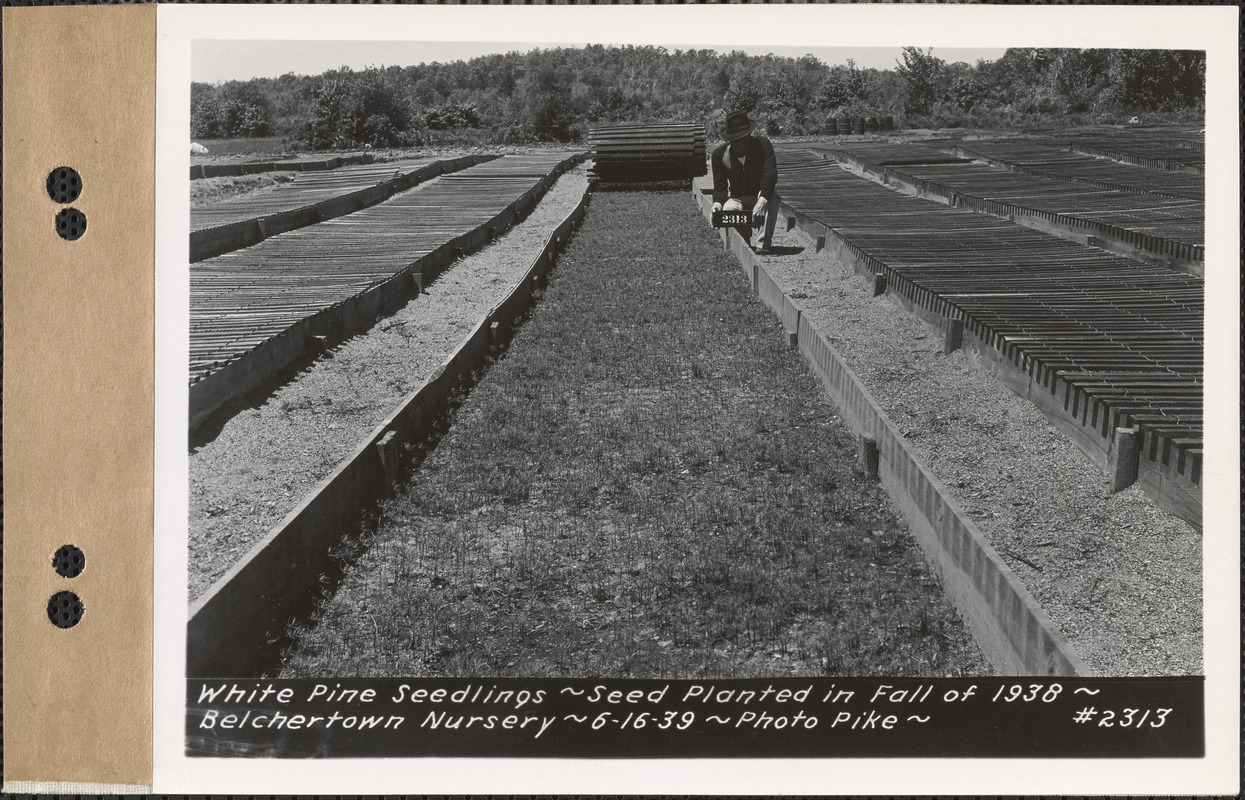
[238,60]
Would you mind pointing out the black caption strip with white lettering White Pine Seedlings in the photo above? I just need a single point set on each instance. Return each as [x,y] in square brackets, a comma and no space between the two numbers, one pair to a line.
[789,719]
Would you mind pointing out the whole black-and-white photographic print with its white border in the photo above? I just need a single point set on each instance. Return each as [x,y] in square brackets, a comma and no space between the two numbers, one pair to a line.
[577,391]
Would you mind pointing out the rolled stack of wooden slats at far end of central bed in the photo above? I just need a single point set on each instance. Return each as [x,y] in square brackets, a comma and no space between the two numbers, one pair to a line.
[644,154]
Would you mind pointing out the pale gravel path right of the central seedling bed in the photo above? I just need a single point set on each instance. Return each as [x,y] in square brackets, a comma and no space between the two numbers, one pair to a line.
[1121,579]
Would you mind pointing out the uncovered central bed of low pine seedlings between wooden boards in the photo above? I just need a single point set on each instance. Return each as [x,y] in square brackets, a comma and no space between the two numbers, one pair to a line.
[651,485]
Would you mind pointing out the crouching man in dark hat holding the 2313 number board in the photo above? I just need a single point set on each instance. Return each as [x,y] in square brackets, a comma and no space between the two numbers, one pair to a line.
[746,177]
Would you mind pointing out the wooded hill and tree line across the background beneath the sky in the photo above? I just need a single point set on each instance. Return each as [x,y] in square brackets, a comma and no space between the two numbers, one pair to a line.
[557,95]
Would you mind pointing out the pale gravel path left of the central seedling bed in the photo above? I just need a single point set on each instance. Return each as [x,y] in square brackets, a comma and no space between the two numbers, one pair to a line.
[267,458]
